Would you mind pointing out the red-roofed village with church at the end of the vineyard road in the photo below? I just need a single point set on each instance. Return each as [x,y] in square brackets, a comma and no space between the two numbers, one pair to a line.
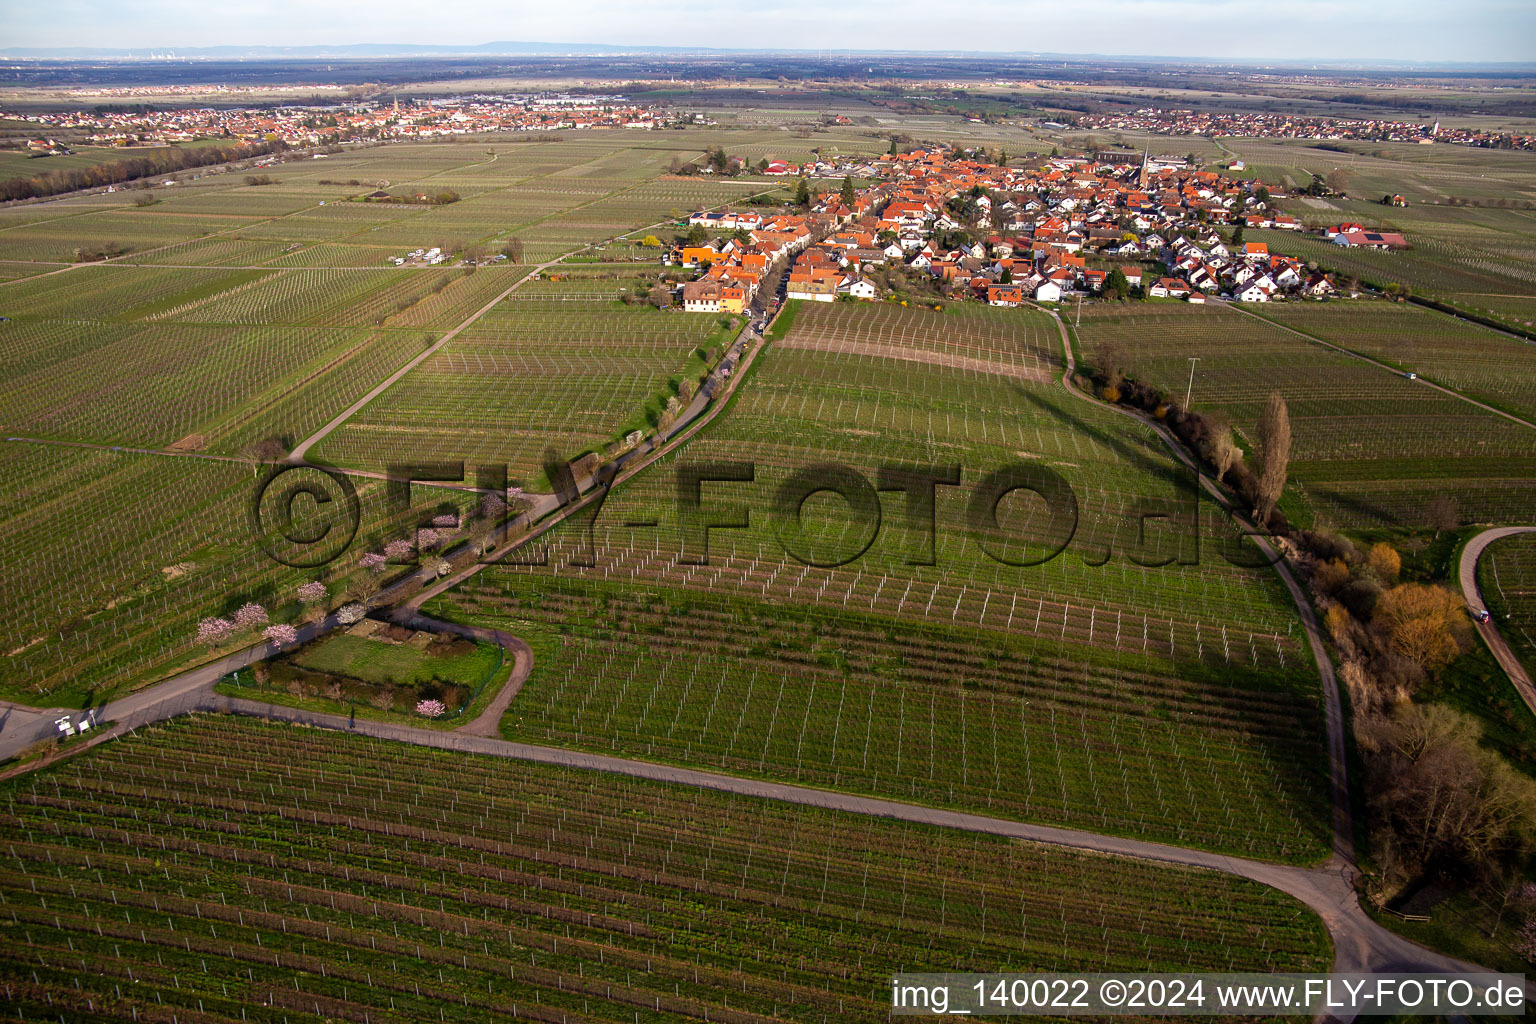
[959,226]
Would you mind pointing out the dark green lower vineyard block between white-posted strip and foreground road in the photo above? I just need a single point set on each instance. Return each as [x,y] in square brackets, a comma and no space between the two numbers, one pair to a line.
[1033,728]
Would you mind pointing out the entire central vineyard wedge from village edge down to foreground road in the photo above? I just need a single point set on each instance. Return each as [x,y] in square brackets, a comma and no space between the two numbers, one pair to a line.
[1093,675]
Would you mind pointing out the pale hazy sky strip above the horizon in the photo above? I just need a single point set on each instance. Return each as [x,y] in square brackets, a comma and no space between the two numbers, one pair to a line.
[1253,30]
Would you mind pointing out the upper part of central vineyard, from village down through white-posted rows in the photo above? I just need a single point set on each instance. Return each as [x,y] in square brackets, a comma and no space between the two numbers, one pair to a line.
[964,386]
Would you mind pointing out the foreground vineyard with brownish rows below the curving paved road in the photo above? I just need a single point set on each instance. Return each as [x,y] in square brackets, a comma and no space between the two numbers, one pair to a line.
[333,877]
